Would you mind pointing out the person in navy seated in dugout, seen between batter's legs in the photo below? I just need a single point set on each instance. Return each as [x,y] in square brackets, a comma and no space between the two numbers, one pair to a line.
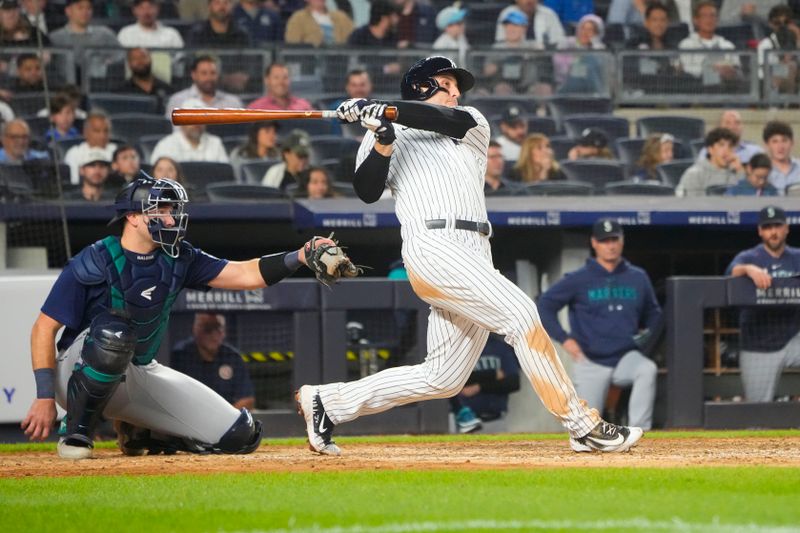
[495,376]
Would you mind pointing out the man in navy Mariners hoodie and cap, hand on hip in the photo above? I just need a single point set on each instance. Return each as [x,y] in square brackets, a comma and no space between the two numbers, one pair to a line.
[612,307]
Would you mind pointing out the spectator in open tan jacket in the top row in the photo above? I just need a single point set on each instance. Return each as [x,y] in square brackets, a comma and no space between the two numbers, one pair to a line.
[317,26]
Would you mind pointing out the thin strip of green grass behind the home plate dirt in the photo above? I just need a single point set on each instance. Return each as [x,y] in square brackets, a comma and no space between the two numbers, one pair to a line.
[511,437]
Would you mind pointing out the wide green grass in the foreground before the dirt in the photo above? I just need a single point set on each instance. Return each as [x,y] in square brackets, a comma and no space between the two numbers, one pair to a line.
[686,499]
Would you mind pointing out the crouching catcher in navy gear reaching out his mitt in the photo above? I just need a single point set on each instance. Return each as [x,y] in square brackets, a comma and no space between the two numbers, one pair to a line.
[113,300]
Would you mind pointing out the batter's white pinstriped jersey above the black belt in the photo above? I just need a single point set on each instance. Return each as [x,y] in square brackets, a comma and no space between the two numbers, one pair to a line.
[432,175]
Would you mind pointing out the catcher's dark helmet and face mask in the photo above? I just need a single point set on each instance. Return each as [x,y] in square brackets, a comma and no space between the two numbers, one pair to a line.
[163,202]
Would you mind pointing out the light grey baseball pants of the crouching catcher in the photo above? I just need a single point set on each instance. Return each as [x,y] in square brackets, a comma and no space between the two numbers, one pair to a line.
[156,397]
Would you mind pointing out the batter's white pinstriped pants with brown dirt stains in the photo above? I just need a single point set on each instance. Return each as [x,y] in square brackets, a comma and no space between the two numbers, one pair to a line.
[452,270]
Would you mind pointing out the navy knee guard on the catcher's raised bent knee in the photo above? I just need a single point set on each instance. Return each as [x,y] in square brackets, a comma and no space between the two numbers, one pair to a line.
[111,343]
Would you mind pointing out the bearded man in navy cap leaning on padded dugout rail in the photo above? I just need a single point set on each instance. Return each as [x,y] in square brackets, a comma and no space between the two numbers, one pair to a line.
[769,338]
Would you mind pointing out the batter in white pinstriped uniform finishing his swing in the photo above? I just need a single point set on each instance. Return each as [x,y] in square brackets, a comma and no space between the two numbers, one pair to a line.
[433,162]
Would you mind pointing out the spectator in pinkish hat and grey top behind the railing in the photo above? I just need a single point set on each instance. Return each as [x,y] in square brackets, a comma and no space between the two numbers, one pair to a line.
[582,73]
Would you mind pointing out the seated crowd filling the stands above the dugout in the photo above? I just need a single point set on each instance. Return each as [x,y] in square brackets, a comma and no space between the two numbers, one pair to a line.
[551,112]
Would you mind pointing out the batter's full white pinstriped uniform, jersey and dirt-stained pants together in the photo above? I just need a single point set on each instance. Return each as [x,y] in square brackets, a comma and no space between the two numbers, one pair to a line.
[432,176]
